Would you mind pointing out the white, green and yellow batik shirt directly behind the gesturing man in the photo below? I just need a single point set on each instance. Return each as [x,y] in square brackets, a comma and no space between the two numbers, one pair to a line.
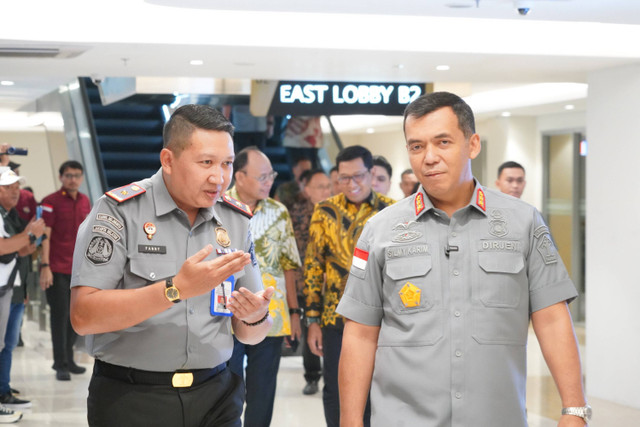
[276,250]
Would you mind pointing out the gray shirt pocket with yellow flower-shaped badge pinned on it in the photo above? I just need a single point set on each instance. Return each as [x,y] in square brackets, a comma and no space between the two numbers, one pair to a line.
[410,290]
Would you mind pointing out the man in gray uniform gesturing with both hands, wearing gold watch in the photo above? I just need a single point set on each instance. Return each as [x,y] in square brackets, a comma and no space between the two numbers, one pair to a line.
[160,276]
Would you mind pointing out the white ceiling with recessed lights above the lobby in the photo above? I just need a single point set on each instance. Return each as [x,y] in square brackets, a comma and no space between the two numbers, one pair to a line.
[487,47]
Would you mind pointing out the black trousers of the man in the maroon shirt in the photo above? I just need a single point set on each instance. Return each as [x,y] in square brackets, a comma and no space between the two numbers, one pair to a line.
[63,337]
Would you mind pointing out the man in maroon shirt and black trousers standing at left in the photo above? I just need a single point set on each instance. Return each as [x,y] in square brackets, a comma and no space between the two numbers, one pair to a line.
[63,212]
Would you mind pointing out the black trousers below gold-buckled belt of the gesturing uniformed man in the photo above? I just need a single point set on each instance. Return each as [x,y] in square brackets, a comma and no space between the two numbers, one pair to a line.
[215,403]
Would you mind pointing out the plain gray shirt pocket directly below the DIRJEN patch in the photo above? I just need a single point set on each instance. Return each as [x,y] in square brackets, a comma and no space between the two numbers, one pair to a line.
[500,281]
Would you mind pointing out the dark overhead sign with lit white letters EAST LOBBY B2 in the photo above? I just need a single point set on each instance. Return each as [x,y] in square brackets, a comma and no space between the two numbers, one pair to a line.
[335,98]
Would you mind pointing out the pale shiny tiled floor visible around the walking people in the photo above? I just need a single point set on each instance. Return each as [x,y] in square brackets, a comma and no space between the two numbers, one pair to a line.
[63,404]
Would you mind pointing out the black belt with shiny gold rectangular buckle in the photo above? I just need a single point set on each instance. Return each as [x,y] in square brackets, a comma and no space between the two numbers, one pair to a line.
[137,376]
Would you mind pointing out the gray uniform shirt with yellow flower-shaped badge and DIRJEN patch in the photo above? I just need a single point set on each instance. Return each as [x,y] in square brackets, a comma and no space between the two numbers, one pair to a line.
[453,299]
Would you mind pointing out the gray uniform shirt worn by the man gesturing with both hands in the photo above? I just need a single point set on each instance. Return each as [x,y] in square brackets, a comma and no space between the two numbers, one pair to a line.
[113,251]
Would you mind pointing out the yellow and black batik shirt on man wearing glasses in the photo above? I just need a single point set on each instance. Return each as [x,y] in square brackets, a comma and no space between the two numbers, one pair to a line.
[335,227]
